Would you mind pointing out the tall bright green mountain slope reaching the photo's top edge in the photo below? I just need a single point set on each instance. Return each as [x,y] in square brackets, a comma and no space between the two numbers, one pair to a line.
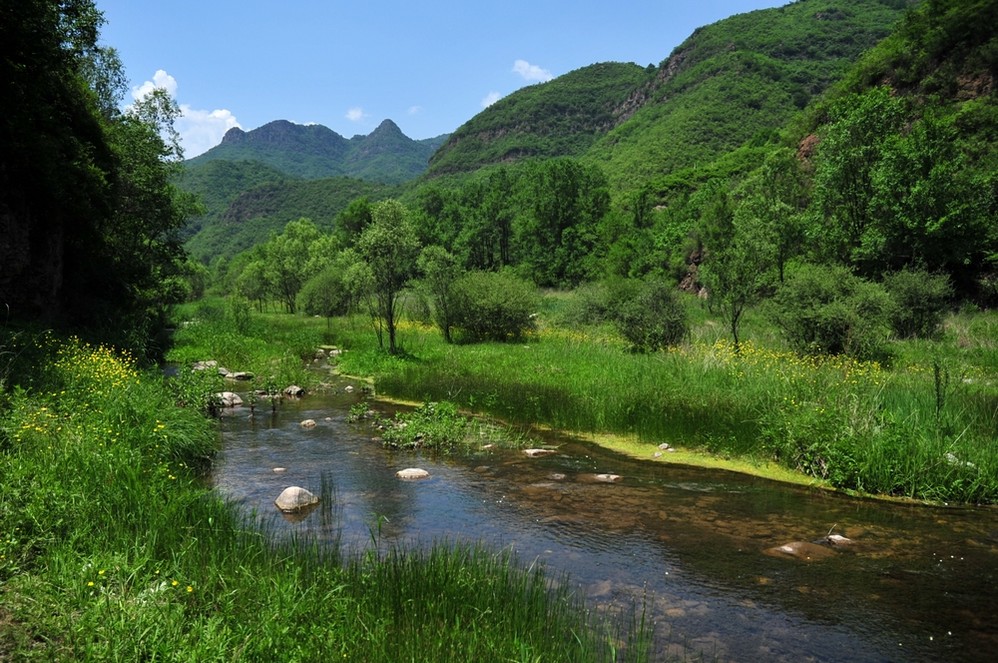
[739,79]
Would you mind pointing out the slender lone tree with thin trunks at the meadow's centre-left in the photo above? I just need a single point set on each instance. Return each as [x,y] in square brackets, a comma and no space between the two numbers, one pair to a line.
[389,246]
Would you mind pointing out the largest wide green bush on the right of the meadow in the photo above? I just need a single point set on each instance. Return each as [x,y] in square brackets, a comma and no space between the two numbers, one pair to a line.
[829,310]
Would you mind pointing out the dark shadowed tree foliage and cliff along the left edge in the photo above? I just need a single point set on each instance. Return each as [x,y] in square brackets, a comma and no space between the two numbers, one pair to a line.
[91,229]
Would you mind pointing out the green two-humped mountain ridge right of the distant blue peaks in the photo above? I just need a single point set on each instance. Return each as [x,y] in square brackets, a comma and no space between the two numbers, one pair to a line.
[729,82]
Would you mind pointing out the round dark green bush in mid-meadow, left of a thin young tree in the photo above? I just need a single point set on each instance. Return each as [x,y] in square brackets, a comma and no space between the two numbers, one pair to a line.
[649,315]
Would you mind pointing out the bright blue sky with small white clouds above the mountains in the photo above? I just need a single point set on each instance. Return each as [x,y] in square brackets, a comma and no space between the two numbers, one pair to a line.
[428,66]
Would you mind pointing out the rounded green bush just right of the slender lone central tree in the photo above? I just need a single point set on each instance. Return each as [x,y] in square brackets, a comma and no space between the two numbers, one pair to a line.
[495,306]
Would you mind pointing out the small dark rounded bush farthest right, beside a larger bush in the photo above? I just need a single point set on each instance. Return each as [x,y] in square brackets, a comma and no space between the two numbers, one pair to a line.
[920,299]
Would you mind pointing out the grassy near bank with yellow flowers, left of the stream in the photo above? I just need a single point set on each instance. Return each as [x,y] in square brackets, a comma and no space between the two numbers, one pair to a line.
[113,548]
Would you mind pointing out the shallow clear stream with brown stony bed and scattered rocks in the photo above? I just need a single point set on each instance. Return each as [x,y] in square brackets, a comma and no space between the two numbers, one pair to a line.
[699,548]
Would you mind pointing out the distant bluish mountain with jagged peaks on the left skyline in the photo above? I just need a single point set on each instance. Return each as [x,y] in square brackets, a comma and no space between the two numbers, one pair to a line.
[313,152]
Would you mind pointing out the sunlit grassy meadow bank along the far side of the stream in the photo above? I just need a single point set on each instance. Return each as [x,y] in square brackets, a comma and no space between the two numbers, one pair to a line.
[924,427]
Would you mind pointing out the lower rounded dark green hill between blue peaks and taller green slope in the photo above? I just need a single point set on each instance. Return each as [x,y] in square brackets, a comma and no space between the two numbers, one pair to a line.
[563,117]
